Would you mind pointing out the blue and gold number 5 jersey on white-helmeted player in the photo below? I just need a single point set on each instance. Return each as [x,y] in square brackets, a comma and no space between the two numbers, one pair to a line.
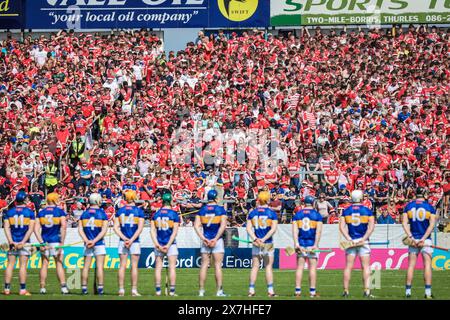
[357,218]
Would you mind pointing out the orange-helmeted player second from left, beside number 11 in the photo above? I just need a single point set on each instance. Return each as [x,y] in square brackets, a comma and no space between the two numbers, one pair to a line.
[50,228]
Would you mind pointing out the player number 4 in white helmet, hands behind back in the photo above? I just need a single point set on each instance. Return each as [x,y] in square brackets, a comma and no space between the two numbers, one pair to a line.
[92,227]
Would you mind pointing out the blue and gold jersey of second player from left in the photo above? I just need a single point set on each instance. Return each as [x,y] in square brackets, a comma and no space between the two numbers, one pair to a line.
[50,220]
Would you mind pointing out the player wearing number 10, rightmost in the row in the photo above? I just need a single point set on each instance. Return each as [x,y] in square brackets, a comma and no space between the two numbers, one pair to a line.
[419,218]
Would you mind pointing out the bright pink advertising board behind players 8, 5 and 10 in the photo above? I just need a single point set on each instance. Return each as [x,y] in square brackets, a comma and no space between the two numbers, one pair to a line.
[380,259]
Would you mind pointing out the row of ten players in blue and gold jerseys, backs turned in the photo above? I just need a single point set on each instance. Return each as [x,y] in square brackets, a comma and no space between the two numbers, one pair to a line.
[356,225]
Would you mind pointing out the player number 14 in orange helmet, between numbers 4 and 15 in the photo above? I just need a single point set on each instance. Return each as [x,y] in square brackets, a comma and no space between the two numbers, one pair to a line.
[128,225]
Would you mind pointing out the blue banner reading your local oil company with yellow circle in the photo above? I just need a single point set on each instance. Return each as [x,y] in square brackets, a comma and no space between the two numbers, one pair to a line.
[107,14]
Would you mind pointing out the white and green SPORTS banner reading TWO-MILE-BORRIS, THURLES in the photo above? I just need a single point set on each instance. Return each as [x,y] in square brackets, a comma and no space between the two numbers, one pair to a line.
[357,12]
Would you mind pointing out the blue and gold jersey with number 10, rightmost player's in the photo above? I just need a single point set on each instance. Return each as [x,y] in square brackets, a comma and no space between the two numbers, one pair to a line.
[419,213]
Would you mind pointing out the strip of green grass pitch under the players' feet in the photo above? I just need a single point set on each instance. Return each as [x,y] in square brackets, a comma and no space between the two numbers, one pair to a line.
[329,285]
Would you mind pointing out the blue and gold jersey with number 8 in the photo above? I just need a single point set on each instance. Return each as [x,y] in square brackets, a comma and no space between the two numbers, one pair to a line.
[306,221]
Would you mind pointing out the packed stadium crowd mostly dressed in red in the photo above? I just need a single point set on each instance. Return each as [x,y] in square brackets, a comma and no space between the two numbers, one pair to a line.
[318,114]
